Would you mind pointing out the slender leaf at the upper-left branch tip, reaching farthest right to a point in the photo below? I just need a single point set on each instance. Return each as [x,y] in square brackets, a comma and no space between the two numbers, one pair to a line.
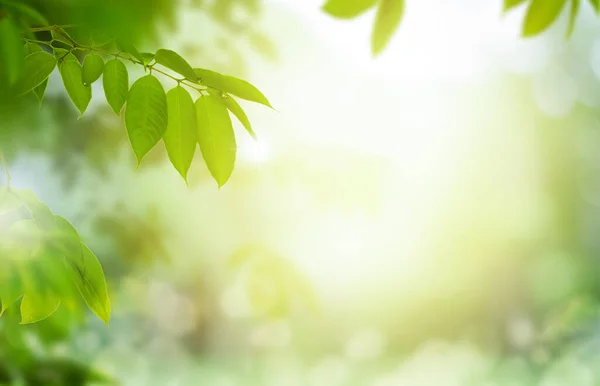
[231,85]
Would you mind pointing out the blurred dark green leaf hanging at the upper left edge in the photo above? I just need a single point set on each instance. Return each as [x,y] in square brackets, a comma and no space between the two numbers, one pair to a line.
[11,53]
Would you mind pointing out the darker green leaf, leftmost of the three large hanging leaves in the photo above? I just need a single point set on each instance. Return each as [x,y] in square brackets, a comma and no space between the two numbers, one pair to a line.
[146,115]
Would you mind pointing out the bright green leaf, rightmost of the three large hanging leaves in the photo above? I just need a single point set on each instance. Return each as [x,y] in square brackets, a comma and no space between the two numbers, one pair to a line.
[216,137]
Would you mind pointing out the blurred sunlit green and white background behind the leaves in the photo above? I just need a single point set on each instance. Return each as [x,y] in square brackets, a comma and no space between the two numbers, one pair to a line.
[428,217]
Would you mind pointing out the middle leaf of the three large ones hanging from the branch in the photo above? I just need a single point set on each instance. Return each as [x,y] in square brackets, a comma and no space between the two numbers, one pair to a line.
[180,136]
